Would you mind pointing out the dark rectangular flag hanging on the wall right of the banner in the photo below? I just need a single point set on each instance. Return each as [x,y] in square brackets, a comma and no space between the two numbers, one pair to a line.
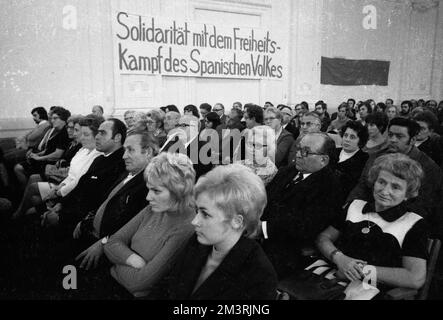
[346,72]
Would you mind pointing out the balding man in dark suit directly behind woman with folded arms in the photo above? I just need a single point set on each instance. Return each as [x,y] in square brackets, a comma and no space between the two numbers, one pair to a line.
[126,199]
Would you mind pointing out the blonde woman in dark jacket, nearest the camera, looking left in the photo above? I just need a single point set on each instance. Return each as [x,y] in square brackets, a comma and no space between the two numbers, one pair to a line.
[222,262]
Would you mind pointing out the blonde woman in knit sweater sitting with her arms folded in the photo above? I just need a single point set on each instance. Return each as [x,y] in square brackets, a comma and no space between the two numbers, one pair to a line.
[145,248]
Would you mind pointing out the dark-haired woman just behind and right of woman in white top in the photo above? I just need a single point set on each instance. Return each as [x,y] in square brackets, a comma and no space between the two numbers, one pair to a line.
[377,123]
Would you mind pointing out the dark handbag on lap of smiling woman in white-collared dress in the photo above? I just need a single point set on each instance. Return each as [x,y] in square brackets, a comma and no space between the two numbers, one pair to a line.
[308,285]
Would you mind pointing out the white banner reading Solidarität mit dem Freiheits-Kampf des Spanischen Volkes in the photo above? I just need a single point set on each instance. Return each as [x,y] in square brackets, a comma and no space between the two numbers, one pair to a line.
[153,45]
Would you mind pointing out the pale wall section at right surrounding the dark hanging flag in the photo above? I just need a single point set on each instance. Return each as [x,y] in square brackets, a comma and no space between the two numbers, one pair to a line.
[407,35]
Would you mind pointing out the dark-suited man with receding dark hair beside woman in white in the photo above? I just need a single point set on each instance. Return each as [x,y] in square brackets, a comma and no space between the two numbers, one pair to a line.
[93,186]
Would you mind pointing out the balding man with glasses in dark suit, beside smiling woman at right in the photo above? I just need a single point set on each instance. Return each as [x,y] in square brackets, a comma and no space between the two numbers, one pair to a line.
[302,201]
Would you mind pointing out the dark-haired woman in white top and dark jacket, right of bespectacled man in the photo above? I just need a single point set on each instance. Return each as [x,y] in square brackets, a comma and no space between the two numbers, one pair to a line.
[351,158]
